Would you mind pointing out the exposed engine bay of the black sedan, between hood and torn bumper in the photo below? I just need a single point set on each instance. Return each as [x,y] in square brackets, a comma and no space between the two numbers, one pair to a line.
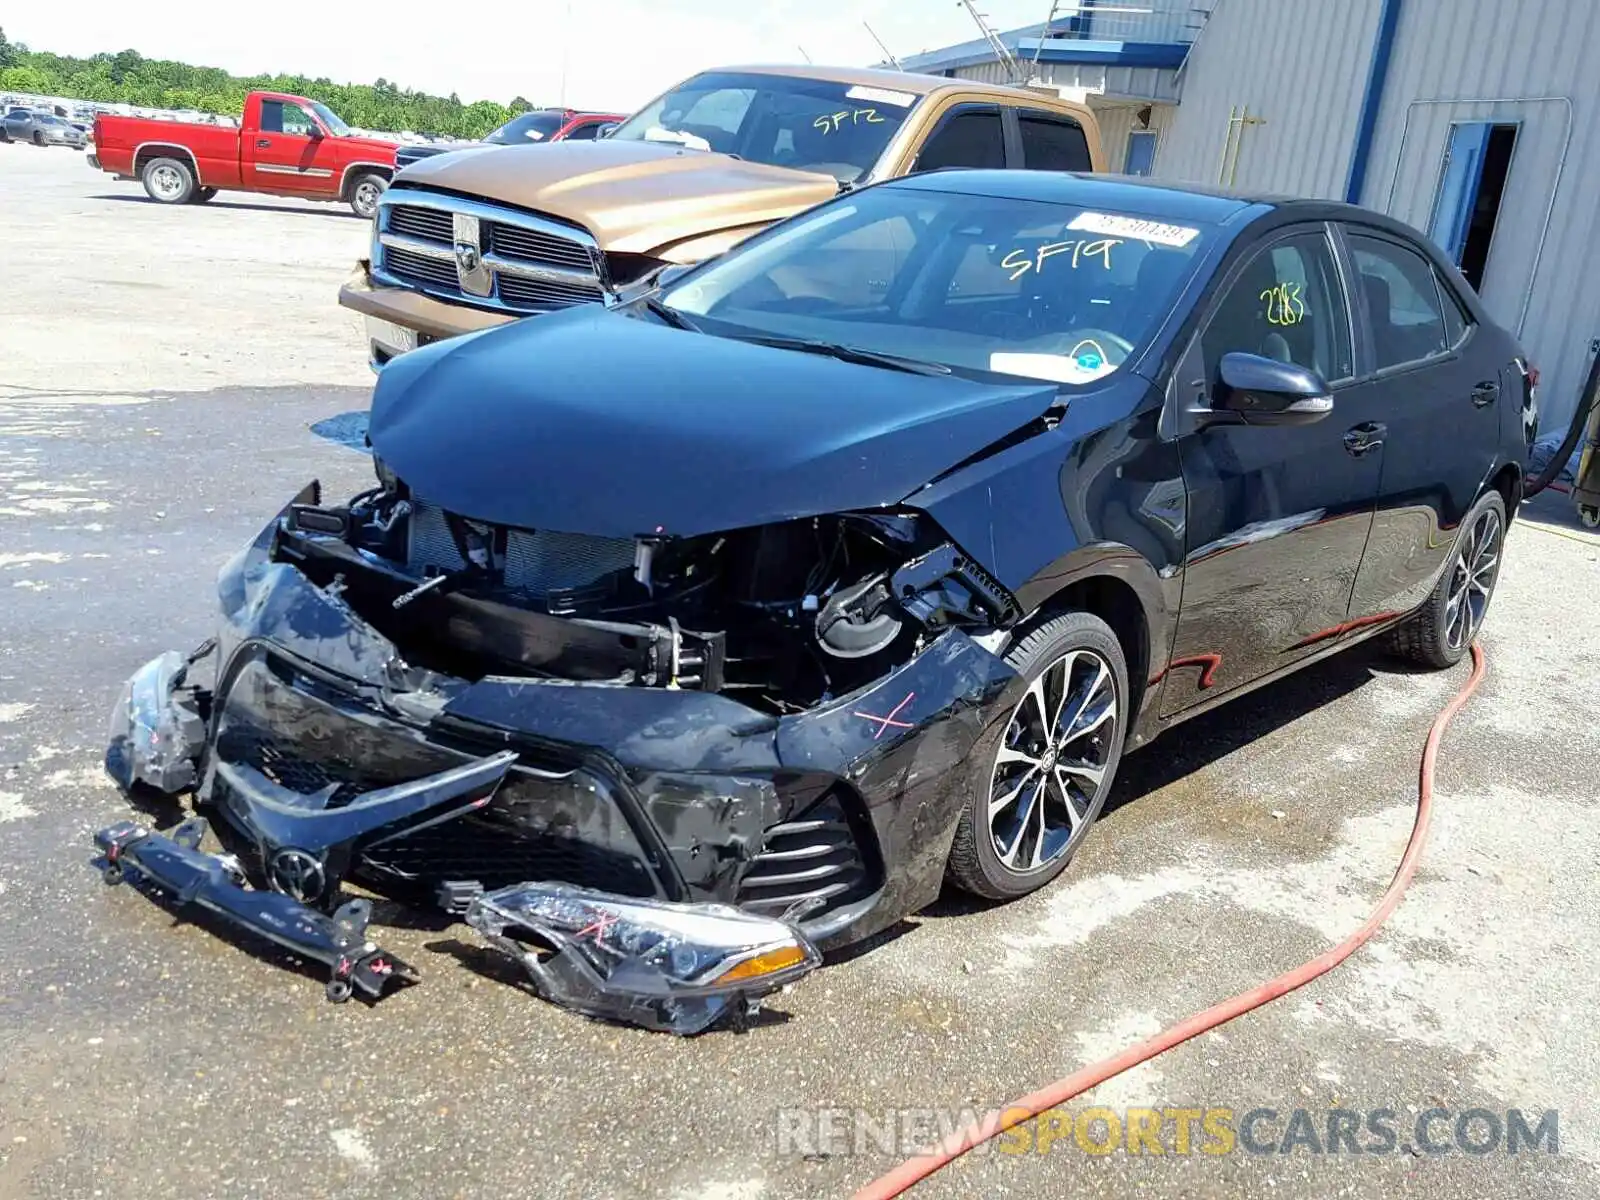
[778,617]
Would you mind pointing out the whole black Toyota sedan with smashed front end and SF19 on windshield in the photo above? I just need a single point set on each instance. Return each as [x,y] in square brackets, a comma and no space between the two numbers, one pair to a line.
[839,567]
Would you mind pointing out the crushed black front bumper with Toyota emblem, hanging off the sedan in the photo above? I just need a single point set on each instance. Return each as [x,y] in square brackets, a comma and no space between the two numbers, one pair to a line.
[324,756]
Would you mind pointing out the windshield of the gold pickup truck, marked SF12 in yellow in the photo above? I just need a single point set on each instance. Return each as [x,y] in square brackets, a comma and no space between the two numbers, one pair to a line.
[812,126]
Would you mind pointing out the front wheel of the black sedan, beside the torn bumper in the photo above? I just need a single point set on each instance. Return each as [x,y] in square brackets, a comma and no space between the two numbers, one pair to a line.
[1034,798]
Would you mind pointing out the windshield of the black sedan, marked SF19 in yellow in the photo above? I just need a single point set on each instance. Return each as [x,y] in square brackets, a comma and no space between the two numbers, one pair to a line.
[977,284]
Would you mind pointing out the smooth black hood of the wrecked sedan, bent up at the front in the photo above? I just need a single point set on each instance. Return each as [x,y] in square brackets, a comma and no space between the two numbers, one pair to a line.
[593,422]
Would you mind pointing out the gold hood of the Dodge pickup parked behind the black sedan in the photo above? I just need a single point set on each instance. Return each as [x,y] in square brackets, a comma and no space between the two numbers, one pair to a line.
[634,198]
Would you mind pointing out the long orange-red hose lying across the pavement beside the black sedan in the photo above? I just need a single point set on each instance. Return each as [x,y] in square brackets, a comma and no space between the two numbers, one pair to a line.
[959,1143]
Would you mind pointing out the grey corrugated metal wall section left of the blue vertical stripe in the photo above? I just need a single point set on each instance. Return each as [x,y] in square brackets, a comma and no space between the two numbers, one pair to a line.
[1300,66]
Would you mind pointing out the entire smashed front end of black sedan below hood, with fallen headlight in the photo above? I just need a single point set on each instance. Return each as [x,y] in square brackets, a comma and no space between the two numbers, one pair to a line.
[724,748]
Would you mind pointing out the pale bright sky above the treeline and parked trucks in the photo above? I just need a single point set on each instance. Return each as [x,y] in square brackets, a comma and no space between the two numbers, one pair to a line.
[618,54]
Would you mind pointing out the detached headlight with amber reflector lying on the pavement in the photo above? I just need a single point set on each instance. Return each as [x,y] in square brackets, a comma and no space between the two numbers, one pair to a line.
[670,967]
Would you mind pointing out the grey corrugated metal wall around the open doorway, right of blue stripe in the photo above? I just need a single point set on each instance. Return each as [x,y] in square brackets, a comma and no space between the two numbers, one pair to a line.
[1532,65]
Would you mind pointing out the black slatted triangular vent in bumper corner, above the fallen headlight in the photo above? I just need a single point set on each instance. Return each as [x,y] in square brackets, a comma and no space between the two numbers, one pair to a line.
[814,857]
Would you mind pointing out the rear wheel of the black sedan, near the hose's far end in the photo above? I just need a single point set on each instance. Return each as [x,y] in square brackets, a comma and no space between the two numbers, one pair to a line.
[1444,630]
